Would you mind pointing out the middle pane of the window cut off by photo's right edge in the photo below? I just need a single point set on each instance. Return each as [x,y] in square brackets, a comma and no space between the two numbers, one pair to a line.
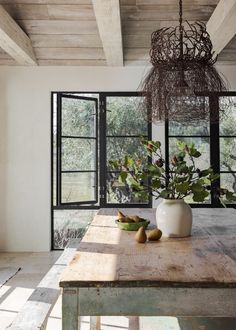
[228,154]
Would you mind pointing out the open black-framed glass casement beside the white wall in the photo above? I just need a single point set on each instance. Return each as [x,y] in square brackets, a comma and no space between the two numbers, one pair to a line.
[77,150]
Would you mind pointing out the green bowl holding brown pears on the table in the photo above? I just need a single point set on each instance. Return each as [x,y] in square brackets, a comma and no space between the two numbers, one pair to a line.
[131,222]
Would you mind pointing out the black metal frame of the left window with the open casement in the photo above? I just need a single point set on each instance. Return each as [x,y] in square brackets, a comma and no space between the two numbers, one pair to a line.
[101,153]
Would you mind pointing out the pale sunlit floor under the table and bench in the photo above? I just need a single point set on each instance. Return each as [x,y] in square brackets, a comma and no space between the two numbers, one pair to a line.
[34,266]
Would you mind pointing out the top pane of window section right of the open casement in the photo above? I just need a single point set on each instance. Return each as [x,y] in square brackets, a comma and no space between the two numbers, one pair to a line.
[124,116]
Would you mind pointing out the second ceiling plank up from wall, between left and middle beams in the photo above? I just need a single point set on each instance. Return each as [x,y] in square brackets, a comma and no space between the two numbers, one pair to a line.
[69,53]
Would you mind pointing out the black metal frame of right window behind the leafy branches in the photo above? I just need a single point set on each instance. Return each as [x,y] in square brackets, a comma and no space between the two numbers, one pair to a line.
[214,138]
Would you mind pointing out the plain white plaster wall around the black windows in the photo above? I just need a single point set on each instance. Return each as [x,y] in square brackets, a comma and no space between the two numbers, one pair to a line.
[25,142]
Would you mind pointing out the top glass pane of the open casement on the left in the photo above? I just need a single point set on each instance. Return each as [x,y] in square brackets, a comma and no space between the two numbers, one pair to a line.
[78,117]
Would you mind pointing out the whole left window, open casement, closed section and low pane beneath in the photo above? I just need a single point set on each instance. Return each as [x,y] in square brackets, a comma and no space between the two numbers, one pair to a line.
[89,129]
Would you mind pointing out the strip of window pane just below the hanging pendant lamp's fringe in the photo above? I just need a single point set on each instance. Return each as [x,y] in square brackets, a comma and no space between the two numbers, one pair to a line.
[202,129]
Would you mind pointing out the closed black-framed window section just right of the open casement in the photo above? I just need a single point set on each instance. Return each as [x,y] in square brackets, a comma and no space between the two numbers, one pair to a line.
[125,127]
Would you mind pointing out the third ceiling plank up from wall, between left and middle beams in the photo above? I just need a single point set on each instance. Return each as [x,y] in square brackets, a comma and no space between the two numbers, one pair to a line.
[63,41]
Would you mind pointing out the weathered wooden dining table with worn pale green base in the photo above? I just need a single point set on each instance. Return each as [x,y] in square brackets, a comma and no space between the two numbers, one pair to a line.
[112,274]
